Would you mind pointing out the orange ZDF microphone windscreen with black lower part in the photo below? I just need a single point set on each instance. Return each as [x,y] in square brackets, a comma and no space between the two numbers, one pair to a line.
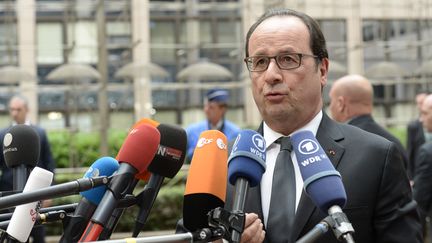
[206,182]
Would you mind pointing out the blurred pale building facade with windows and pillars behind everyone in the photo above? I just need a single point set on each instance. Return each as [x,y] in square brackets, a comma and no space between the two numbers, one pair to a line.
[94,64]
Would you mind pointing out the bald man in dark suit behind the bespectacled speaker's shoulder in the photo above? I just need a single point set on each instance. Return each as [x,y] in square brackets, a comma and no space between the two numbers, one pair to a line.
[351,101]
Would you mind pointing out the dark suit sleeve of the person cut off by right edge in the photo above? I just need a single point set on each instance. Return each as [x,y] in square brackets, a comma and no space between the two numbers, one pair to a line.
[422,181]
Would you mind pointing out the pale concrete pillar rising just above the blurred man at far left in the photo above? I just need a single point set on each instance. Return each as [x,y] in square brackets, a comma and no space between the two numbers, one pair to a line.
[26,23]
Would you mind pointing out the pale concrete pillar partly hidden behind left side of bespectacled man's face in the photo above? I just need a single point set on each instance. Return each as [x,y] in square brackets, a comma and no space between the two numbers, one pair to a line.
[251,10]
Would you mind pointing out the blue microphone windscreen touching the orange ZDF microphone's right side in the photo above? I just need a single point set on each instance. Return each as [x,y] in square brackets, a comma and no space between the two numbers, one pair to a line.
[247,158]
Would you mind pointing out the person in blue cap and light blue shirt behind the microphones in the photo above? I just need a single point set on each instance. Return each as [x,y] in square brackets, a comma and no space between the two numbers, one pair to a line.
[215,108]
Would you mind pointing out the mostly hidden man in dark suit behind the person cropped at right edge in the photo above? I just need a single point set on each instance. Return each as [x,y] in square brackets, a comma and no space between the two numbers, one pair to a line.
[415,137]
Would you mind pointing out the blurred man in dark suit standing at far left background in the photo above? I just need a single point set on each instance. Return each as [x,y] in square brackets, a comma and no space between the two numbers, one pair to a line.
[18,109]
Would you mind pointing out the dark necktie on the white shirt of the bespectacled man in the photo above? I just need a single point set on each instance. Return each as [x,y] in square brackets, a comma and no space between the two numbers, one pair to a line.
[282,204]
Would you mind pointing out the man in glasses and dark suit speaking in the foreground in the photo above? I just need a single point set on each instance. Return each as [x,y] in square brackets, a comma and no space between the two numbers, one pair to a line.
[288,63]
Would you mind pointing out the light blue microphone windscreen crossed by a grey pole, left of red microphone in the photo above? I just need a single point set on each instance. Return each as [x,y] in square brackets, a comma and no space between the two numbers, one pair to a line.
[105,166]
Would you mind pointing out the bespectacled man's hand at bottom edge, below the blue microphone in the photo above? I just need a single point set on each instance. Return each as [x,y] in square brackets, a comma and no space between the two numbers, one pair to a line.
[253,231]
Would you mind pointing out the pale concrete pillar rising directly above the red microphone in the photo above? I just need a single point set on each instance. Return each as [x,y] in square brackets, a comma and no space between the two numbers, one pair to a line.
[143,104]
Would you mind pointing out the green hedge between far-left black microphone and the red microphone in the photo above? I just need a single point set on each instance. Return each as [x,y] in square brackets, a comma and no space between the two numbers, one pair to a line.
[81,149]
